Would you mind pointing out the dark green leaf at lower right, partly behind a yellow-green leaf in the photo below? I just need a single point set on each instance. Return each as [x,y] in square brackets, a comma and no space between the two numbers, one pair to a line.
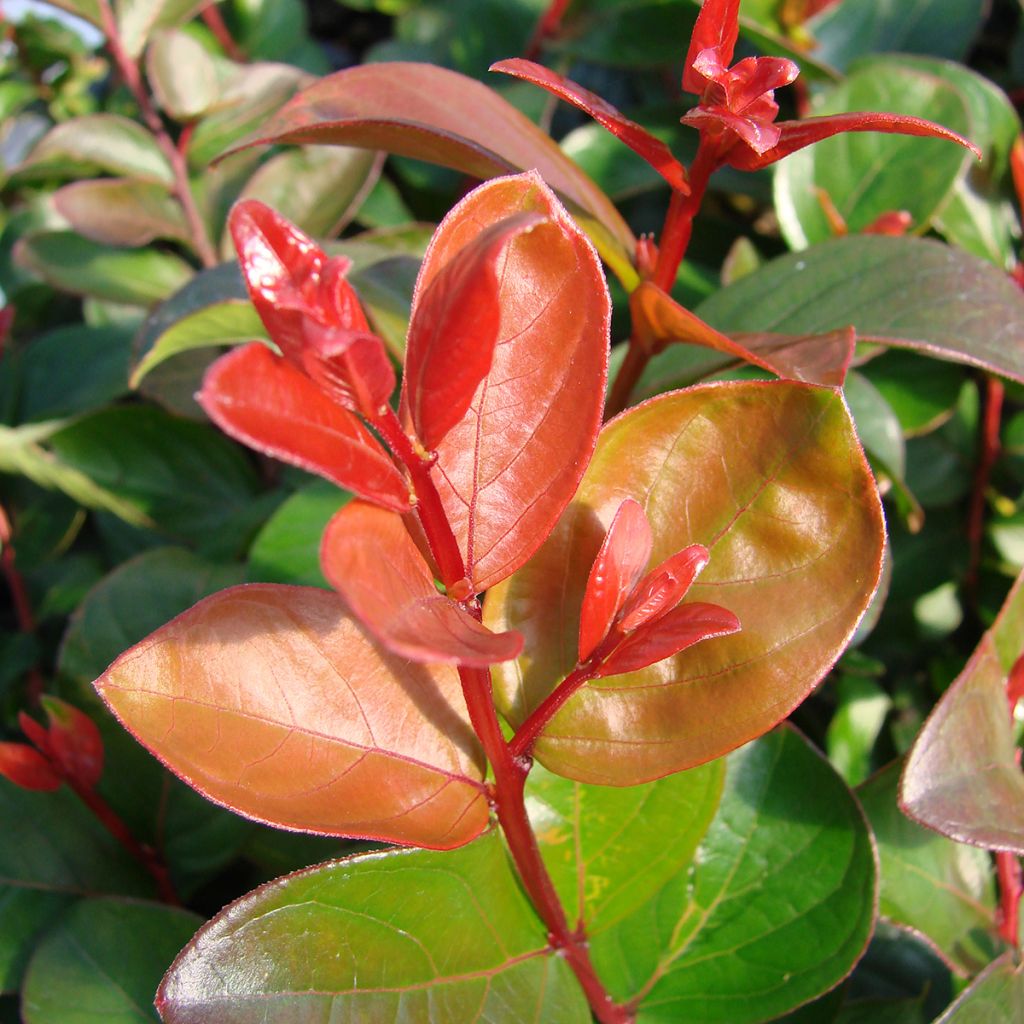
[777,910]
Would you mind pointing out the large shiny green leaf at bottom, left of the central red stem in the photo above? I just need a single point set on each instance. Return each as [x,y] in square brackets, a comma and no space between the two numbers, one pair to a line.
[385,937]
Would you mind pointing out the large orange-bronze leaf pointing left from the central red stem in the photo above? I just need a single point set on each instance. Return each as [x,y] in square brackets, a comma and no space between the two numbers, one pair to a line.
[274,702]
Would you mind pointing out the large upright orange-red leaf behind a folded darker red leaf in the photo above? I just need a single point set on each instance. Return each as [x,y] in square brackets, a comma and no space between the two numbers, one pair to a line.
[509,467]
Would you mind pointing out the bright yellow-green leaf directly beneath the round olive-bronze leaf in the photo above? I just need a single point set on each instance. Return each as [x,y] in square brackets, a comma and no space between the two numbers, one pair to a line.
[592,838]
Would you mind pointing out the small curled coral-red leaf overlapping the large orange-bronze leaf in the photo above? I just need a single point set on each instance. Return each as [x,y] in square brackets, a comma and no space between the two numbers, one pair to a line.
[370,559]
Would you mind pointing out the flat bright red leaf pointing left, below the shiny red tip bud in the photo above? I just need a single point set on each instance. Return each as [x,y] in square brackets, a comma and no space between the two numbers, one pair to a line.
[264,402]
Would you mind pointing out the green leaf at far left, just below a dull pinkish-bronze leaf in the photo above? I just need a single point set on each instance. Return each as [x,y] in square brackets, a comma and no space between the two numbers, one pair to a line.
[71,264]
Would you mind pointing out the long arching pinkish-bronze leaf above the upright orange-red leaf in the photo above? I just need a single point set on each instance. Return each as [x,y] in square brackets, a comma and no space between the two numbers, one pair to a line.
[417,110]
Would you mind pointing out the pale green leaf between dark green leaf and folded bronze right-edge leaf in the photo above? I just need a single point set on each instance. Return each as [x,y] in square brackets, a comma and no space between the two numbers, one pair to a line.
[943,890]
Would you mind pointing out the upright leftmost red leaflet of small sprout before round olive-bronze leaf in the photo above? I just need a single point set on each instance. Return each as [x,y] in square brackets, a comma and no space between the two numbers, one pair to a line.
[617,571]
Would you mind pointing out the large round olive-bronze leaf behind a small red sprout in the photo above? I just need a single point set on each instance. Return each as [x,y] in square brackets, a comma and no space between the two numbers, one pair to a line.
[770,478]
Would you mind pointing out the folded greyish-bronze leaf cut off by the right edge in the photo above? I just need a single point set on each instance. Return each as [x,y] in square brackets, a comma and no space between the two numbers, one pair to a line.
[962,777]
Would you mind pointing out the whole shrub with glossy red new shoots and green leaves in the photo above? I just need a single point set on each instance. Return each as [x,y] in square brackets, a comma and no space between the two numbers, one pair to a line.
[566,609]
